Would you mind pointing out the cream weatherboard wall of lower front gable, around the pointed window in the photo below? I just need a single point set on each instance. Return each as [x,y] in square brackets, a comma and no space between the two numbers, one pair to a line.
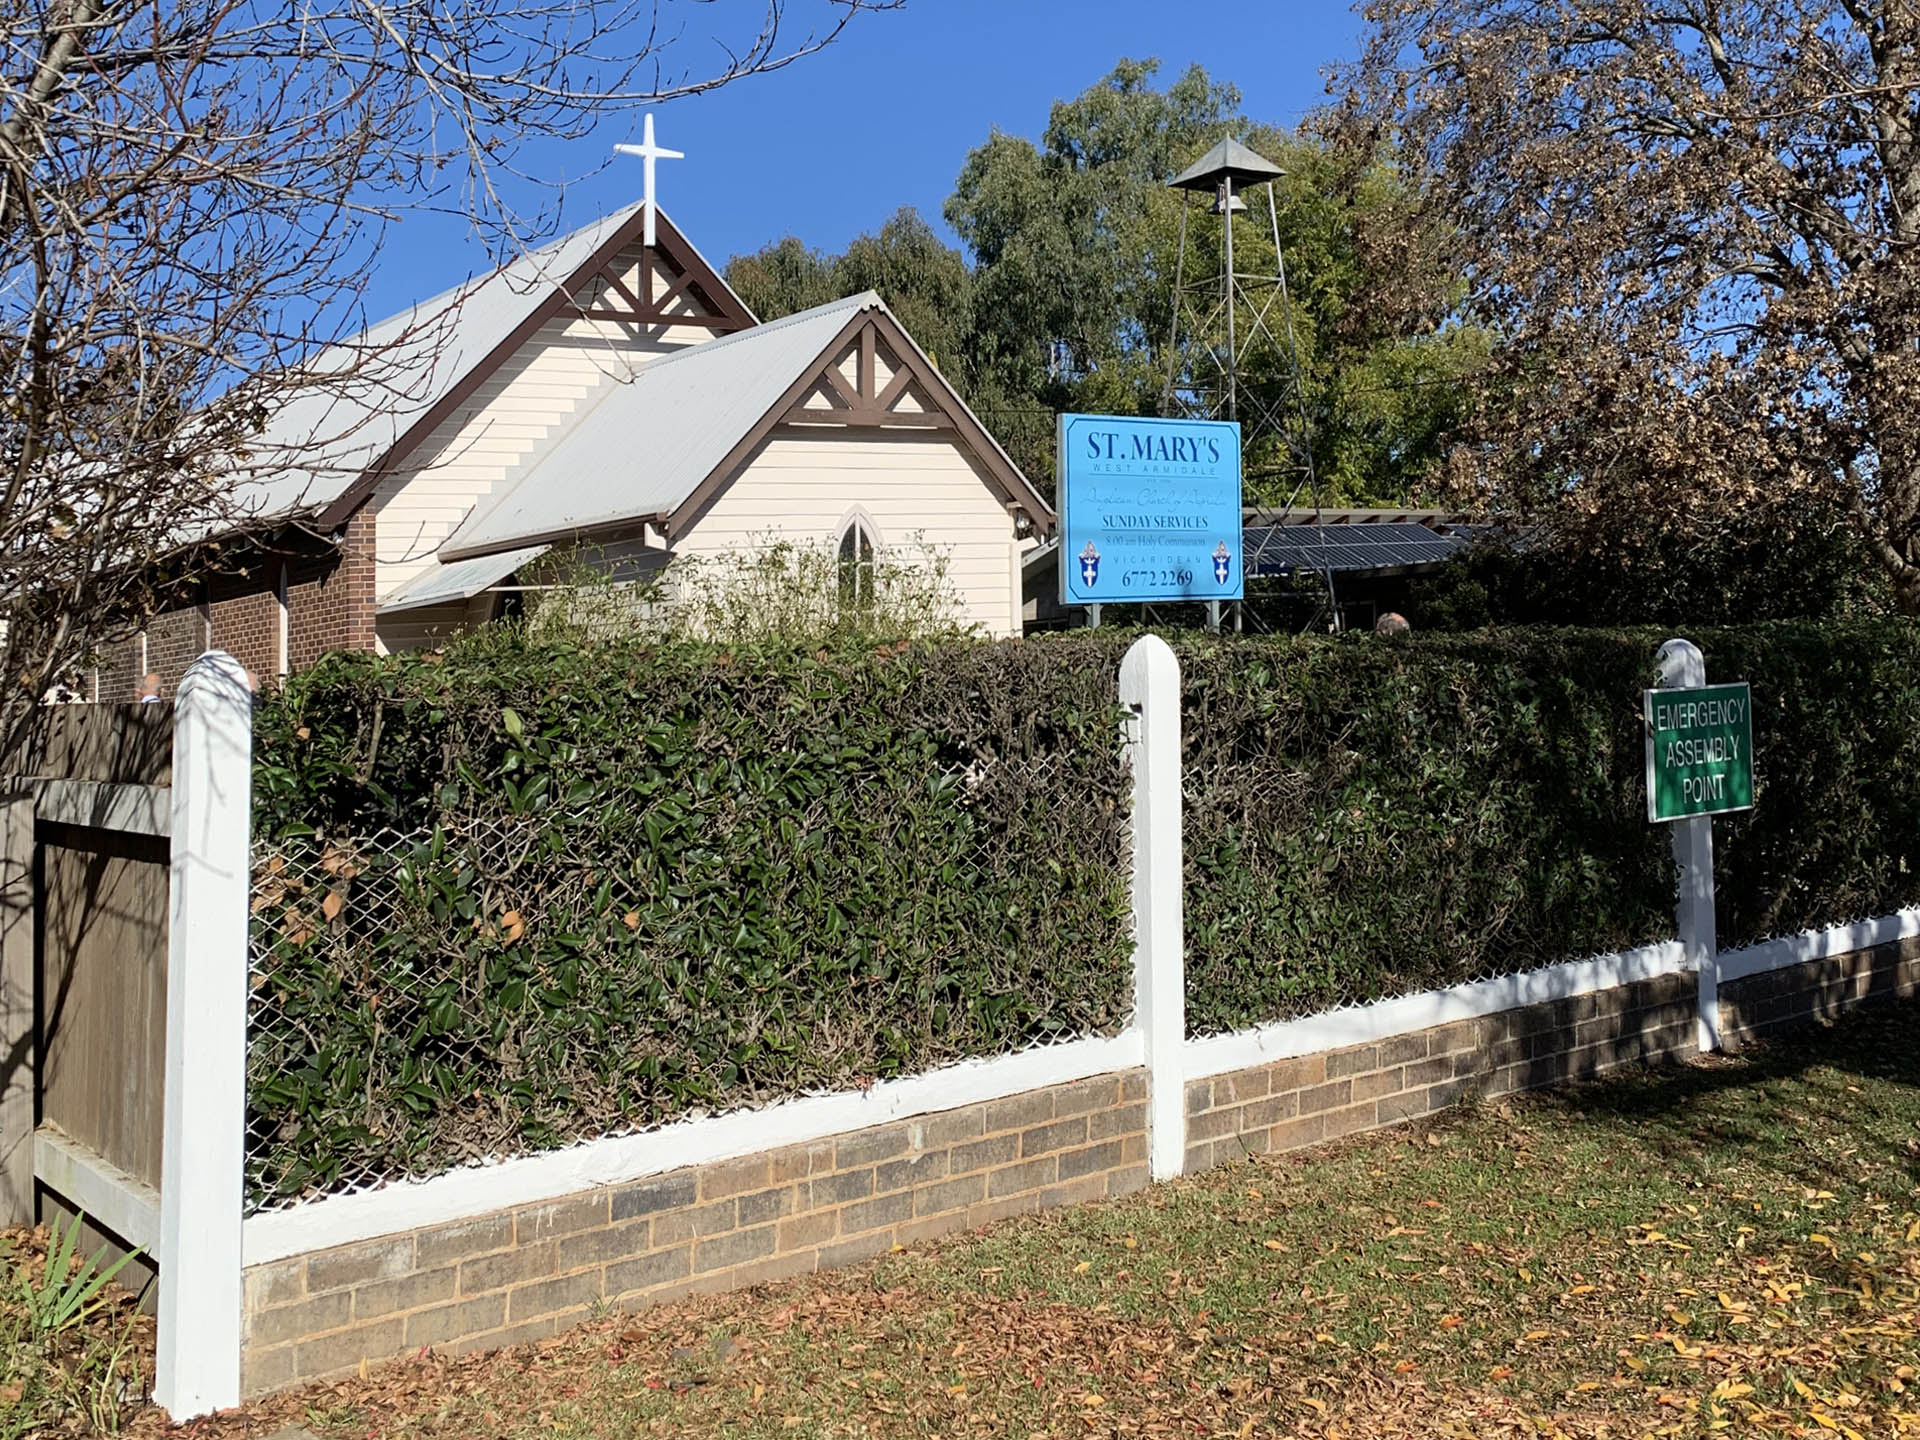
[909,485]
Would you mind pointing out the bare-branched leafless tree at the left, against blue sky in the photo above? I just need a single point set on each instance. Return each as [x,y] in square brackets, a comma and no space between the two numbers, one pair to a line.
[191,201]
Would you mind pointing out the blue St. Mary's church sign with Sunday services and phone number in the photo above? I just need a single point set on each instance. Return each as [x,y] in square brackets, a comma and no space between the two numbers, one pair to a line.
[1149,510]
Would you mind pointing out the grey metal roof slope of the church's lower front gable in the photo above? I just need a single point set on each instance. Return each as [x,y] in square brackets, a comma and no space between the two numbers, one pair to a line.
[644,446]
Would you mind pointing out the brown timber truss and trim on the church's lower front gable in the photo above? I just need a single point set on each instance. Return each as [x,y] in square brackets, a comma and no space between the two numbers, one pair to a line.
[915,396]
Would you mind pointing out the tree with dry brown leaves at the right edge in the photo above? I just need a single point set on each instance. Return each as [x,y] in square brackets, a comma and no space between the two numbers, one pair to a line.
[1698,228]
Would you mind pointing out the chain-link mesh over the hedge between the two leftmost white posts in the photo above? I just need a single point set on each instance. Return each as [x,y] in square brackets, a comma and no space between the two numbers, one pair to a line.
[498,986]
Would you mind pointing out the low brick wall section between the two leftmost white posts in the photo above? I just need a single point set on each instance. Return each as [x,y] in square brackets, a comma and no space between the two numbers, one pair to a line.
[525,1274]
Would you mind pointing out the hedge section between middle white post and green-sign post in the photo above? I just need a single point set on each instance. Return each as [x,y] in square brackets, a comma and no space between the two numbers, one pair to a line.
[1370,819]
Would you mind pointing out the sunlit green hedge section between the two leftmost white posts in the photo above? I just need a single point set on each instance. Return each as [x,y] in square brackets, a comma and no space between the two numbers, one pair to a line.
[529,896]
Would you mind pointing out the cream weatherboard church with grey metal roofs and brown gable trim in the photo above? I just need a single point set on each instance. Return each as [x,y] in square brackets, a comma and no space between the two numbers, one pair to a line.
[610,395]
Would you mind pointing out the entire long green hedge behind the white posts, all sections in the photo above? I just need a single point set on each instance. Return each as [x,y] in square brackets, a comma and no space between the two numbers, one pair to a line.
[529,896]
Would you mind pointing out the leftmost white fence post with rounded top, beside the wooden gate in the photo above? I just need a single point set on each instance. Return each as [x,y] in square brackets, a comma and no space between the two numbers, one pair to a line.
[204,1140]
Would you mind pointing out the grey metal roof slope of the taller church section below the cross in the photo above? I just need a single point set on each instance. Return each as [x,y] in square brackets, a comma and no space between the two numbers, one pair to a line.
[322,443]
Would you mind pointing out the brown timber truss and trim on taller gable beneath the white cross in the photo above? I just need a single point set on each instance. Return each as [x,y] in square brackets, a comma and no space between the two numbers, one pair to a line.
[594,291]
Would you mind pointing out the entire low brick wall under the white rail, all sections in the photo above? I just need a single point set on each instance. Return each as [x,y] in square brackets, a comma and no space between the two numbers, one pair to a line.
[531,1272]
